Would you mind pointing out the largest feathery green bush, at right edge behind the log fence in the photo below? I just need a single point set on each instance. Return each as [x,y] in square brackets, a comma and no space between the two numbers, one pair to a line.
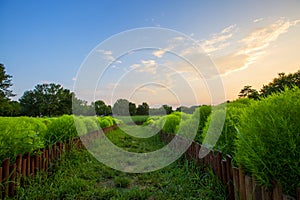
[268,144]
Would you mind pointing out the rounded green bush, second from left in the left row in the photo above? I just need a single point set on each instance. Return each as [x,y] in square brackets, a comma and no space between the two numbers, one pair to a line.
[64,128]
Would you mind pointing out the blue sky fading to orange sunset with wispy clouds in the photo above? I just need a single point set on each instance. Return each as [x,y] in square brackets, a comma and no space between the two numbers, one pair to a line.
[201,52]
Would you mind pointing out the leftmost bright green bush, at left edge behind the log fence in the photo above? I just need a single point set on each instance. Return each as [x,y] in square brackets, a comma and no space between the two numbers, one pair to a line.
[21,134]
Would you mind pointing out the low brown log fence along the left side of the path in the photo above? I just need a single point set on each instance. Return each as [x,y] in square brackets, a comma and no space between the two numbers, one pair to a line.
[29,164]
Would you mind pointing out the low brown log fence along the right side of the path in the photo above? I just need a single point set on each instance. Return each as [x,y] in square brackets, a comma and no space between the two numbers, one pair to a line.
[238,185]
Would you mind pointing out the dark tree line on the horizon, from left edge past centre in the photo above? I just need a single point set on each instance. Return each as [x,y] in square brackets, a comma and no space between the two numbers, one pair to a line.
[54,100]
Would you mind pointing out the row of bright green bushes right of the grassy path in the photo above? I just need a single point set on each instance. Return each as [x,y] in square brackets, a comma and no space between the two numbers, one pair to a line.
[262,136]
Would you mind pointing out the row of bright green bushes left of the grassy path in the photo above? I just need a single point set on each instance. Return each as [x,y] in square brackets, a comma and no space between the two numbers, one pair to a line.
[25,134]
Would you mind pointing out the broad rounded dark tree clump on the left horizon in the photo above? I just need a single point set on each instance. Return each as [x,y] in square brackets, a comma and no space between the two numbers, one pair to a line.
[46,100]
